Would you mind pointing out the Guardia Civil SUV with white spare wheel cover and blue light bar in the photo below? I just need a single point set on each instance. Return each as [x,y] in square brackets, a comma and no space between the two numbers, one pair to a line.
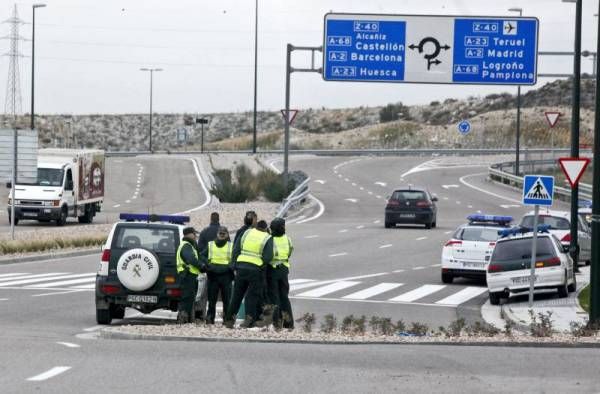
[138,268]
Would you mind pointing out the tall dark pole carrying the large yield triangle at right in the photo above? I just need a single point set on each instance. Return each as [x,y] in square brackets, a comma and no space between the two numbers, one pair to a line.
[575,132]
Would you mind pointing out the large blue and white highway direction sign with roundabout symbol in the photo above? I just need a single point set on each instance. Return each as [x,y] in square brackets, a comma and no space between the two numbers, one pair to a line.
[430,49]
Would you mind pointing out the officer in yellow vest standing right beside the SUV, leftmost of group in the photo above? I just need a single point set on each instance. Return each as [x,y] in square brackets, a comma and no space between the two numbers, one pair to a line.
[189,266]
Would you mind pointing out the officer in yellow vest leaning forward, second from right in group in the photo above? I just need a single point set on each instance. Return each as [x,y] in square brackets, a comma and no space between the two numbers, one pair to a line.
[251,255]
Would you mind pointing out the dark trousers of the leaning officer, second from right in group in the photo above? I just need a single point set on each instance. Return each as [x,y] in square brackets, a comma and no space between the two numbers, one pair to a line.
[248,281]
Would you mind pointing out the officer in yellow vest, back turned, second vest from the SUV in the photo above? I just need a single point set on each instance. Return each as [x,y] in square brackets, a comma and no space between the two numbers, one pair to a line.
[219,272]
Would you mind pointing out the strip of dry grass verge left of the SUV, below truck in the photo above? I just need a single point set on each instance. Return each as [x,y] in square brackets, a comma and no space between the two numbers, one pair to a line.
[42,245]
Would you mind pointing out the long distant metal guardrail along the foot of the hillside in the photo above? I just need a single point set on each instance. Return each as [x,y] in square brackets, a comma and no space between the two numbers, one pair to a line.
[354,152]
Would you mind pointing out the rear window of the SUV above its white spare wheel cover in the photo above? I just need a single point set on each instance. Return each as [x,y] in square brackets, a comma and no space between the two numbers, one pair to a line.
[158,240]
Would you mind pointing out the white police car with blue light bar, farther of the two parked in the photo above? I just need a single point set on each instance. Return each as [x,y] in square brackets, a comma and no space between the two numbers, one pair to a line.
[467,253]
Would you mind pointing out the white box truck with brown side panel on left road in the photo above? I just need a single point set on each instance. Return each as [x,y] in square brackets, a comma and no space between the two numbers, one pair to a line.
[70,183]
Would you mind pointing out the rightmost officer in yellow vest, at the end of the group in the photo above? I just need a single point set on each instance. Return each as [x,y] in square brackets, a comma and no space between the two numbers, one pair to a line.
[277,275]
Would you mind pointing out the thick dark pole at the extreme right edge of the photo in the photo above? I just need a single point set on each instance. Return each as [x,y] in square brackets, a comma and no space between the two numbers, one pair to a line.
[595,268]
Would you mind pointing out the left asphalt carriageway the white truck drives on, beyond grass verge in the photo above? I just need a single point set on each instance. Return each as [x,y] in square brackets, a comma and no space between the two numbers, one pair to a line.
[136,184]
